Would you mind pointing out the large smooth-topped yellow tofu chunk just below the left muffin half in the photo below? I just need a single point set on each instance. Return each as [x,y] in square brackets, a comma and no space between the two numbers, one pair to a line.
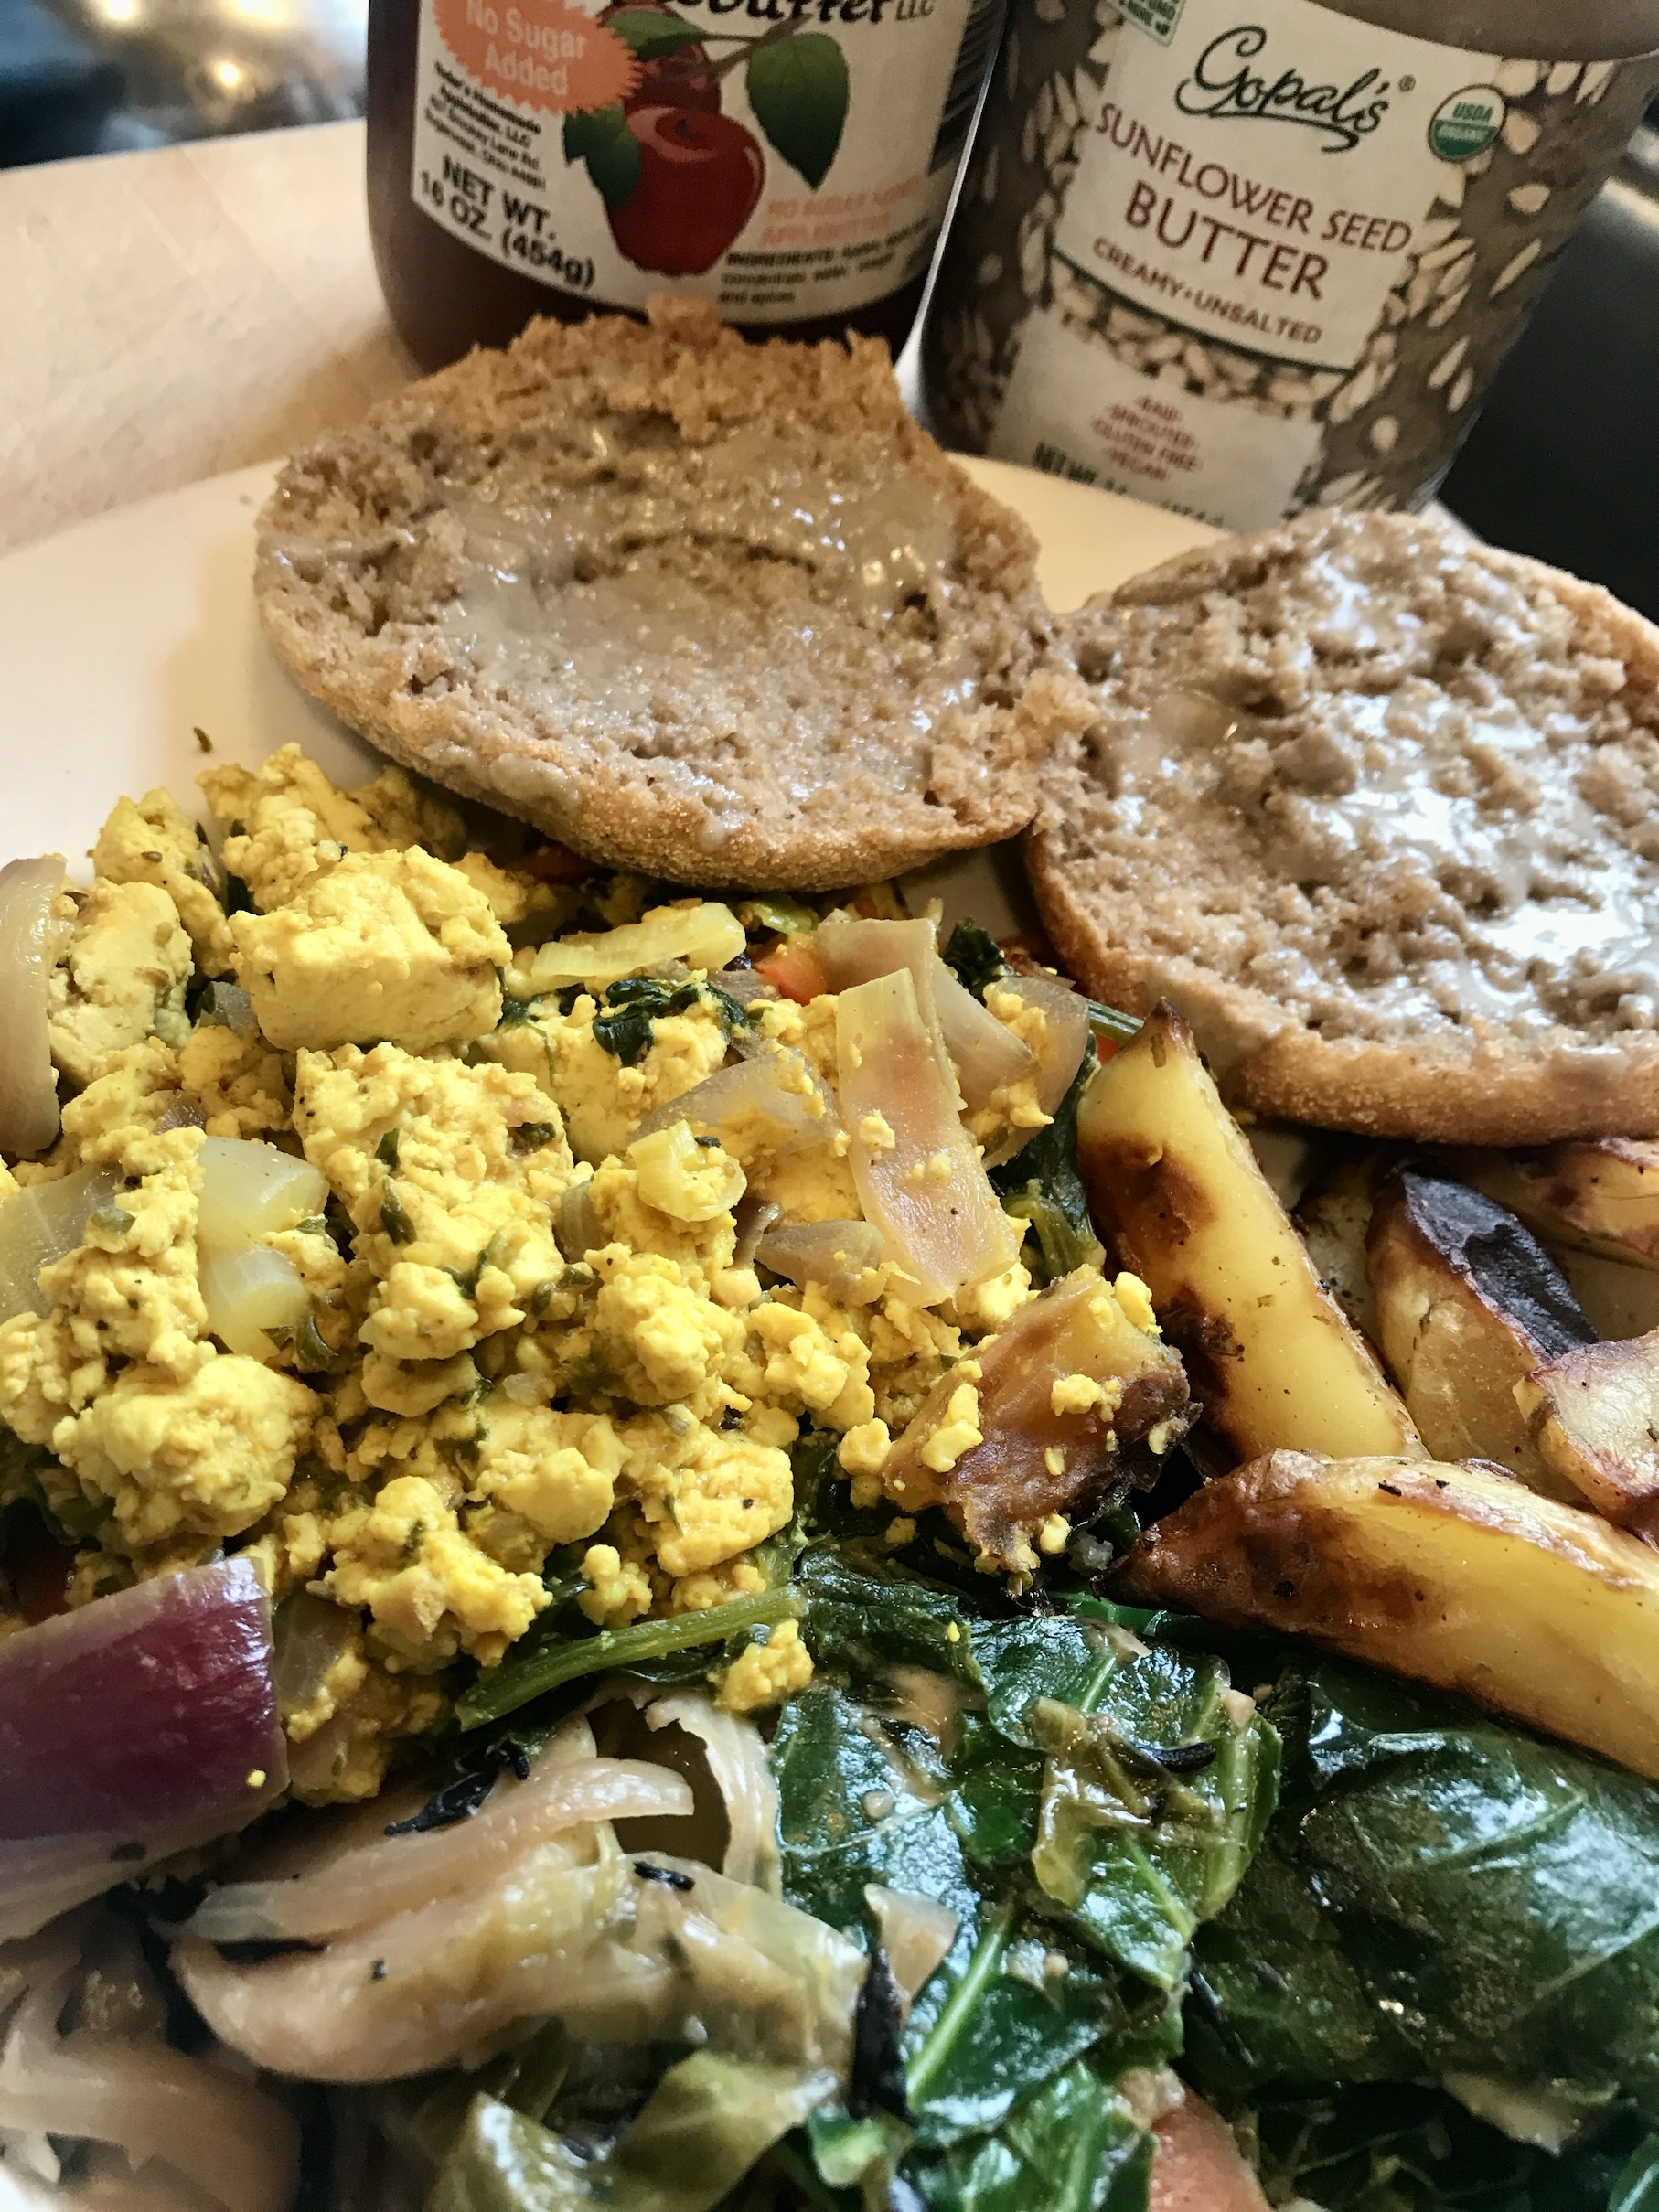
[386,948]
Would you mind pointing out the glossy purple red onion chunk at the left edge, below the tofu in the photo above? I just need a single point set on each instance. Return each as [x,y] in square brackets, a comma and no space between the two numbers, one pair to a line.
[129,1731]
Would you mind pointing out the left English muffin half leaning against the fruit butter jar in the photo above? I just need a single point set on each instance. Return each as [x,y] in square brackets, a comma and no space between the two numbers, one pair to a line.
[711,609]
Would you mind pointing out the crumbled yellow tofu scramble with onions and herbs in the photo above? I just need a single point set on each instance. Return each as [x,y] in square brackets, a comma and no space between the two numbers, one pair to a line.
[379,1258]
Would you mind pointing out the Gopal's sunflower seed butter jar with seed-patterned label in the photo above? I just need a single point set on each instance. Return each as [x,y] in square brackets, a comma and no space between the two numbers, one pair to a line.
[1242,258]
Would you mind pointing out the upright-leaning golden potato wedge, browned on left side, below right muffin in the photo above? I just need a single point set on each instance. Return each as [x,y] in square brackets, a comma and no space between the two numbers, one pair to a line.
[1178,1193]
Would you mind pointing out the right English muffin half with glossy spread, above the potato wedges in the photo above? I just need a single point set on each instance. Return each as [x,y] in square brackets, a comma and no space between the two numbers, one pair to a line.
[1379,811]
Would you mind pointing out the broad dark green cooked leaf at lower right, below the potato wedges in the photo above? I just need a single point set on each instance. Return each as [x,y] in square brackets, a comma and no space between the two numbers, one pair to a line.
[1441,1899]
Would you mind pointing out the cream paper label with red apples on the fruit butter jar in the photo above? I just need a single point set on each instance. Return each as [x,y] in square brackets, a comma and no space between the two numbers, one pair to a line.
[780,158]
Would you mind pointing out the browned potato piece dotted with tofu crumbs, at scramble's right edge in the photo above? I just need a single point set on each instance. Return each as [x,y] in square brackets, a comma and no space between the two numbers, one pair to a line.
[1003,1490]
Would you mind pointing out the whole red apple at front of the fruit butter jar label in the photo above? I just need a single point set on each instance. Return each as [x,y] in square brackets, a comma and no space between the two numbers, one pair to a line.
[700,180]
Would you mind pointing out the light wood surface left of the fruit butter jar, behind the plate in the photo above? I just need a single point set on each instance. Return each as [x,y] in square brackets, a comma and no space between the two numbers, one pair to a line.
[178,313]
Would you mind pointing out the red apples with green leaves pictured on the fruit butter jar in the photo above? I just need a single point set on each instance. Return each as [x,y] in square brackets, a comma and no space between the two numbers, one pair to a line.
[678,176]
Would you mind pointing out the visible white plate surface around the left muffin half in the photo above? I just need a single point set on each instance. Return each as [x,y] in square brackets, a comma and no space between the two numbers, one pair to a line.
[125,636]
